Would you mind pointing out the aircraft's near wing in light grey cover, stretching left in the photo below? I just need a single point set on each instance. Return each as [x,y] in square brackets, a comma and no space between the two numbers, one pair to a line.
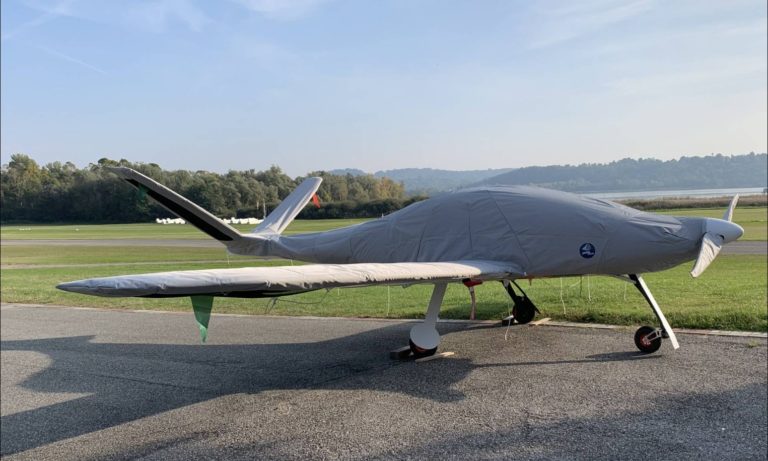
[260,282]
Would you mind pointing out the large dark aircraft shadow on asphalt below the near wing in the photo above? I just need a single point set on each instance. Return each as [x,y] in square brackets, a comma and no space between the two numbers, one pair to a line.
[127,382]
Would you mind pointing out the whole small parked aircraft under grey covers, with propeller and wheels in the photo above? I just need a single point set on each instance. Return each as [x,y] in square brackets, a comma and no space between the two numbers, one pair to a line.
[471,236]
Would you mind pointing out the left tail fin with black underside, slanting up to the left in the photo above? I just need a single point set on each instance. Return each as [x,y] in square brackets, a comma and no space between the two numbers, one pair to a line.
[182,207]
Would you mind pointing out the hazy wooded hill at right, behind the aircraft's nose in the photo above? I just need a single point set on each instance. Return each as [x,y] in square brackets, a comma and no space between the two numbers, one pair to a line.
[710,172]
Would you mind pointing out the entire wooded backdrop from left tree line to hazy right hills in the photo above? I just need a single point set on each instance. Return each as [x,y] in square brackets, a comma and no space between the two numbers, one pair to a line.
[61,192]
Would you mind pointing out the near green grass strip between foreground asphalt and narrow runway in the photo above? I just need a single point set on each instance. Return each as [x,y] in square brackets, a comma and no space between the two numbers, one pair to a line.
[731,295]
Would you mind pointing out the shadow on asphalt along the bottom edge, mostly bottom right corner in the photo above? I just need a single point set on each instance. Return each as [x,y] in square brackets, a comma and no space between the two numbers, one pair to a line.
[689,425]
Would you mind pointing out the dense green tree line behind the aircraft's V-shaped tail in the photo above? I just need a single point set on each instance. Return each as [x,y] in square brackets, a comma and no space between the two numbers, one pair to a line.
[62,192]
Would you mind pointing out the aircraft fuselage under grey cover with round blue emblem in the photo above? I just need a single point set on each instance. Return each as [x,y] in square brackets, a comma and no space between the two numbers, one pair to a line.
[540,231]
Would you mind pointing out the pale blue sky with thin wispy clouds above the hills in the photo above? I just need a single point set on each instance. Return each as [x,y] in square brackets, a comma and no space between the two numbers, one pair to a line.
[375,84]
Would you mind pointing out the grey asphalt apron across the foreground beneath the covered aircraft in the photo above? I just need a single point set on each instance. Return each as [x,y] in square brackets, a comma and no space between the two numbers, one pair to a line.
[97,384]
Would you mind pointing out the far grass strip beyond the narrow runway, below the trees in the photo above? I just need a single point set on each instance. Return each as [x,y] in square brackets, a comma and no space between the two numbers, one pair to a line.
[753,219]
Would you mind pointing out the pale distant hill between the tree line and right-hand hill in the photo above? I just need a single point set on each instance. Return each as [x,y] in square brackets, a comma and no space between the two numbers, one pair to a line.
[427,181]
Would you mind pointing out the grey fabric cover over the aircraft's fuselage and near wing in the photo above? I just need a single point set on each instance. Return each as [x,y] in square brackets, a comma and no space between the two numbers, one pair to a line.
[483,233]
